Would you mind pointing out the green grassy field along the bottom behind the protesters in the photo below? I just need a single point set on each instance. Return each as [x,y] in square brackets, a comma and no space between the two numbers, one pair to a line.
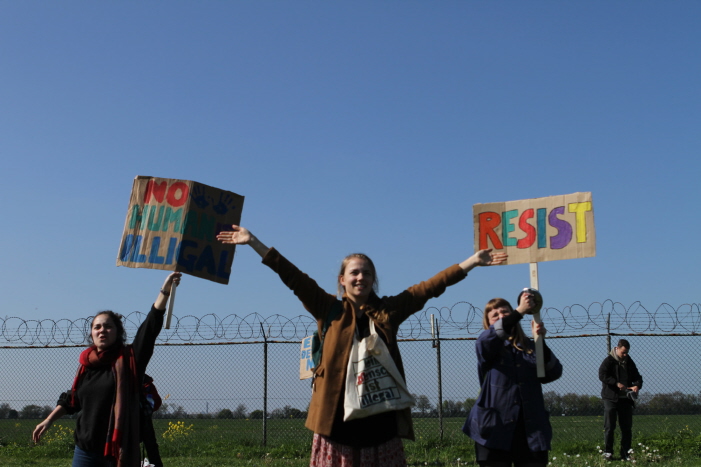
[212,442]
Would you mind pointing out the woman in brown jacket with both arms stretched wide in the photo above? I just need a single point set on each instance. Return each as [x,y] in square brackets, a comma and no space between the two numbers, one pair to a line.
[374,440]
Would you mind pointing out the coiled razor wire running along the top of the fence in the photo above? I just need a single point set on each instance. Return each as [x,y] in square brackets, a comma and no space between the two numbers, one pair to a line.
[462,319]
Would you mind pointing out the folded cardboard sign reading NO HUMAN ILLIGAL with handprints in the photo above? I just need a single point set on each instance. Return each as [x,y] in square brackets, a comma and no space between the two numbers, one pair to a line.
[172,225]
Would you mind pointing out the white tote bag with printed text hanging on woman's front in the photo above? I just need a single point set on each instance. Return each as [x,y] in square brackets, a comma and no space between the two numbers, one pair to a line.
[373,382]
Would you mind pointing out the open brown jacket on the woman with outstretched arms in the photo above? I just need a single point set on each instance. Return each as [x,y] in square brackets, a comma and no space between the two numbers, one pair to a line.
[329,383]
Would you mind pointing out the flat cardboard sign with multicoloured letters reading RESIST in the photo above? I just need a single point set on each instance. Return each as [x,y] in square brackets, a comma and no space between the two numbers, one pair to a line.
[539,229]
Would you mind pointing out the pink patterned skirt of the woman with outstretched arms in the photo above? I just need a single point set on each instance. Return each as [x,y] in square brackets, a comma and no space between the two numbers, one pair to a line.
[326,453]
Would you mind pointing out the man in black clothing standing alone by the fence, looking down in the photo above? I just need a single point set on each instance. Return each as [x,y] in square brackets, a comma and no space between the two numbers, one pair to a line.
[621,383]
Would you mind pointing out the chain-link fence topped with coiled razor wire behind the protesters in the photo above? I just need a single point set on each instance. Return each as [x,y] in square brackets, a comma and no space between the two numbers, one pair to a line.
[242,372]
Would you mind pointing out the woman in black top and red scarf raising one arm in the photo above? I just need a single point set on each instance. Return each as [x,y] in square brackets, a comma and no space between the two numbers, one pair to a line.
[107,387]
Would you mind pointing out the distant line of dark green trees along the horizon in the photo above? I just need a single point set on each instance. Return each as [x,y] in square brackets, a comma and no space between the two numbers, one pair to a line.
[569,404]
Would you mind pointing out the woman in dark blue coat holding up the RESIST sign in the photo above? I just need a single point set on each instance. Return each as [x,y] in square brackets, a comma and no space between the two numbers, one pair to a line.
[511,392]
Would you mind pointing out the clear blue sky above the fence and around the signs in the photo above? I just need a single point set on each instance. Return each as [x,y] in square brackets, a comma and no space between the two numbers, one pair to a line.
[356,126]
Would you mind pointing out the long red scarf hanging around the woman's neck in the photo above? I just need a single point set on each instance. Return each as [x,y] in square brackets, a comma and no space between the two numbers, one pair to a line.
[122,441]
